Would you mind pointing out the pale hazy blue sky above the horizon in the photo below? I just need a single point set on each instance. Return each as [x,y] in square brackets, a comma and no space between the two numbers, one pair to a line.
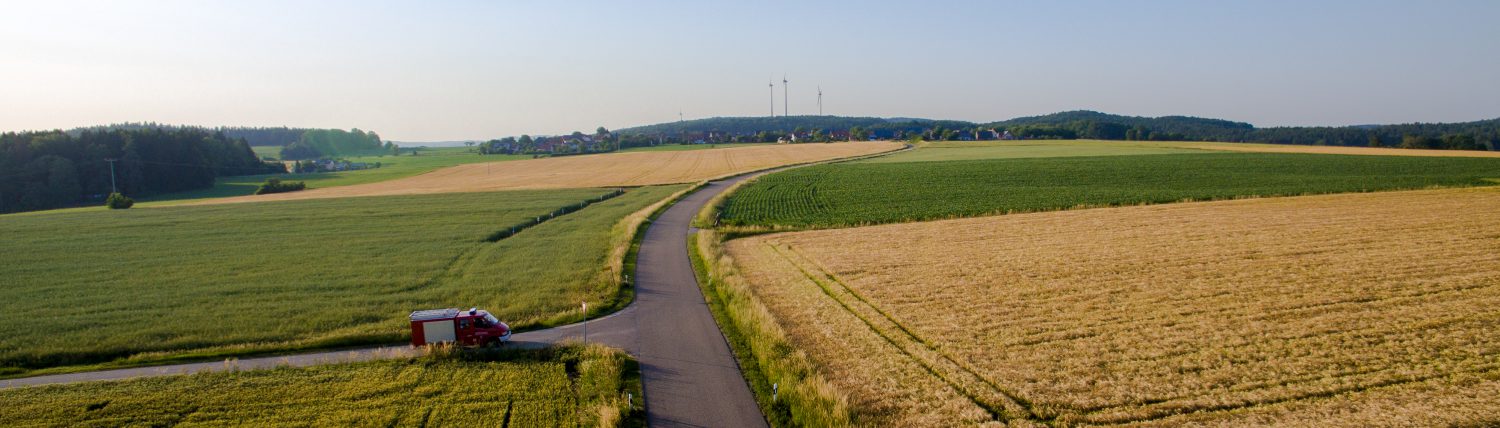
[425,71]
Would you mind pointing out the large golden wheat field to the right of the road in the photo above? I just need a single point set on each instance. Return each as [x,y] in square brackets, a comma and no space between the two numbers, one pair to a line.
[1349,310]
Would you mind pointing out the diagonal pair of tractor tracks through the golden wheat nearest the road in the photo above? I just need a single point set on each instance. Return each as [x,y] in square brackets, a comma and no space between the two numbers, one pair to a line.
[995,400]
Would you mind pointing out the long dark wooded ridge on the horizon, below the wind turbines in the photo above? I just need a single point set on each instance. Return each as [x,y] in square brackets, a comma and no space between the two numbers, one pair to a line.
[1468,136]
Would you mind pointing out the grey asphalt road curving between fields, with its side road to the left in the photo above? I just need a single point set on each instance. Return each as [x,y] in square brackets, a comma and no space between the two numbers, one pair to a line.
[689,373]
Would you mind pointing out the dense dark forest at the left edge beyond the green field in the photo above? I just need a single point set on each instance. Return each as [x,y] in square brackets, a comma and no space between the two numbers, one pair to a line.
[46,170]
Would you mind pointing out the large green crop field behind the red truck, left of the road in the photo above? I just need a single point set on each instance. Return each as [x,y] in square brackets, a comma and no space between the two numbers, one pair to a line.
[146,286]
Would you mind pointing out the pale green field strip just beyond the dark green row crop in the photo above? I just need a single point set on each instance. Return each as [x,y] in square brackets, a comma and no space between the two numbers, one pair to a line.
[974,151]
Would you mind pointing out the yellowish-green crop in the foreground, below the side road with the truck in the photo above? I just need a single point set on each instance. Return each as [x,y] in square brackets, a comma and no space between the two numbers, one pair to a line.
[569,387]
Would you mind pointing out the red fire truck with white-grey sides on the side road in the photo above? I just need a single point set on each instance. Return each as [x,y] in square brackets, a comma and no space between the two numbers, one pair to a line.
[464,328]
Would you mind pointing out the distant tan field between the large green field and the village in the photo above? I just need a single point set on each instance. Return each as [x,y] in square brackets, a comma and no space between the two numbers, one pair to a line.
[640,169]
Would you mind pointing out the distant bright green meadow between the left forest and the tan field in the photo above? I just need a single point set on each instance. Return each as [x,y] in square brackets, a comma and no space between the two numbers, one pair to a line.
[392,167]
